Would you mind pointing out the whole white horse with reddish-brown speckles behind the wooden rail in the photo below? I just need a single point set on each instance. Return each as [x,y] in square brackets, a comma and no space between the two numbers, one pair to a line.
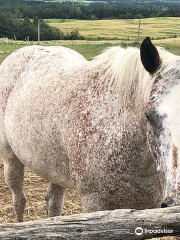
[108,127]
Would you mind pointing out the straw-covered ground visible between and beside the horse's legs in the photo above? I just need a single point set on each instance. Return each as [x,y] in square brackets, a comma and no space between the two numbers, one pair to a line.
[35,189]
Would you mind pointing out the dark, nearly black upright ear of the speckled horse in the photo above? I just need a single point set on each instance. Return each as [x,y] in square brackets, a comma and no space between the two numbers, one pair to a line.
[149,56]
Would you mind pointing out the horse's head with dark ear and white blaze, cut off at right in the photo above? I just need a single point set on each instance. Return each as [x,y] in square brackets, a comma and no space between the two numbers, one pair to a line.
[163,119]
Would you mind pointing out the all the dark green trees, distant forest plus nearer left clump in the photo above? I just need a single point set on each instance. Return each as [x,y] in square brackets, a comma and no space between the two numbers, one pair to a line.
[18,18]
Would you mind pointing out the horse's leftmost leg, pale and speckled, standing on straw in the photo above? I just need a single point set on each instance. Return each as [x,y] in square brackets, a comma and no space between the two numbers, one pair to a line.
[14,176]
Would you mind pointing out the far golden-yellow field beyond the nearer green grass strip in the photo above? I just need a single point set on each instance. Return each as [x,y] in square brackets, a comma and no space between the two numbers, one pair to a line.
[122,29]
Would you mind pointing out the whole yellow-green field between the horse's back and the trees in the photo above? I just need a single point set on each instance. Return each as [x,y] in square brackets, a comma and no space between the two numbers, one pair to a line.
[108,33]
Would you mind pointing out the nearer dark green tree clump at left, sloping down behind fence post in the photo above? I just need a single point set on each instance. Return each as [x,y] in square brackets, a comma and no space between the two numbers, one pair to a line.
[21,28]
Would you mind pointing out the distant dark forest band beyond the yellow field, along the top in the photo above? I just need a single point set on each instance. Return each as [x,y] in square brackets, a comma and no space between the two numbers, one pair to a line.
[114,9]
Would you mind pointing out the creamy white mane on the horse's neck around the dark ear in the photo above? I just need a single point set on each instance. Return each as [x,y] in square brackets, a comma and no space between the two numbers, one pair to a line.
[125,72]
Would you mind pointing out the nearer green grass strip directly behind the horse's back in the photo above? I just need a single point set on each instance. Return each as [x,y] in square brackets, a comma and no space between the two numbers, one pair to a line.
[89,49]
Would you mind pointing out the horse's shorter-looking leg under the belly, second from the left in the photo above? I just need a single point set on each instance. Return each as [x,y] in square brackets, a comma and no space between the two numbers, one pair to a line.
[55,200]
